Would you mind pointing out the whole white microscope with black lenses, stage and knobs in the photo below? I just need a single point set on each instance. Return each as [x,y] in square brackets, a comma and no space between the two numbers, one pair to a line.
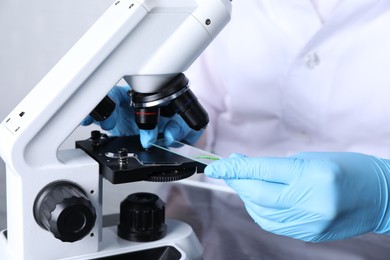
[54,196]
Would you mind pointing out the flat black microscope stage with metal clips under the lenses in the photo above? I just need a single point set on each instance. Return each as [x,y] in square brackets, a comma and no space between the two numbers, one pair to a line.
[123,159]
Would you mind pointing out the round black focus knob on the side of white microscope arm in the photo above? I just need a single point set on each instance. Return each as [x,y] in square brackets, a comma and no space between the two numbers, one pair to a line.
[64,209]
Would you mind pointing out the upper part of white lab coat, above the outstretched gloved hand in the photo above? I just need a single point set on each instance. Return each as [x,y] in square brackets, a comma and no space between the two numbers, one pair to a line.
[278,81]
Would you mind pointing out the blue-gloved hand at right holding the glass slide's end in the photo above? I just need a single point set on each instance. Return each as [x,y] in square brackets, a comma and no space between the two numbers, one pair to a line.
[316,196]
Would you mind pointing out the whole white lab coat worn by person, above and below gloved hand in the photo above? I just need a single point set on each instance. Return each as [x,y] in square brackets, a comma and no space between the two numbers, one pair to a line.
[276,82]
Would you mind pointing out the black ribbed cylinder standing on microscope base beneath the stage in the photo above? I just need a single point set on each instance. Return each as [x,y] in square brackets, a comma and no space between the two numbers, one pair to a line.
[142,218]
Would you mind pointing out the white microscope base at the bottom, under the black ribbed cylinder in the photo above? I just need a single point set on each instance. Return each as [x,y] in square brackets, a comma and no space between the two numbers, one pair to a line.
[179,243]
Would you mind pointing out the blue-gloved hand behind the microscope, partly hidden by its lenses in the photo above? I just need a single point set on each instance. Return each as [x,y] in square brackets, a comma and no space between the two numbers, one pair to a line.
[122,122]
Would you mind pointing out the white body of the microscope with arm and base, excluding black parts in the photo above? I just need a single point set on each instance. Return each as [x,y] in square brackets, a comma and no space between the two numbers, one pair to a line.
[147,42]
